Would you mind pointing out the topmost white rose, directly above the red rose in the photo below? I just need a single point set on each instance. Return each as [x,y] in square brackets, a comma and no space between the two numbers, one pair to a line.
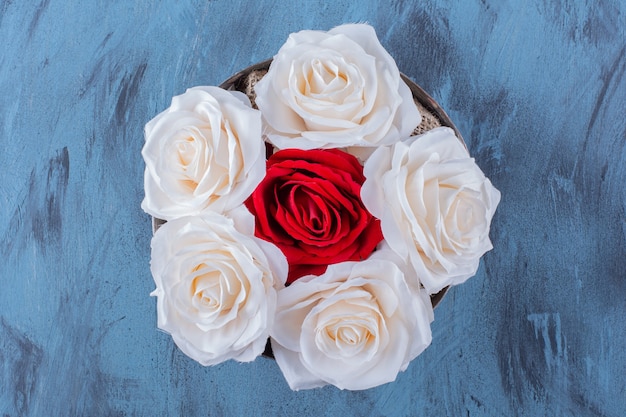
[335,89]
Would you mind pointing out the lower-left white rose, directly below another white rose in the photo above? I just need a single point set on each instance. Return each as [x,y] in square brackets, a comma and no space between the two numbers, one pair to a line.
[216,286]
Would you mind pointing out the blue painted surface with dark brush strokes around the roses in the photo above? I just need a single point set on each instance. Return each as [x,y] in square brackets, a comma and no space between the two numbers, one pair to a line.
[539,93]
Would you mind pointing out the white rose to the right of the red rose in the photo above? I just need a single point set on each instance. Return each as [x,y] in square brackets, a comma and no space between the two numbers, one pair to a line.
[435,206]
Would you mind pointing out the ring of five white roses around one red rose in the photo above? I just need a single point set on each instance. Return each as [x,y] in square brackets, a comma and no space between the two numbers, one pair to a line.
[312,215]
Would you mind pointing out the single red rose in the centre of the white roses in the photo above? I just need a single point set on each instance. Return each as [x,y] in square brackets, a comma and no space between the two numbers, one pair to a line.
[309,205]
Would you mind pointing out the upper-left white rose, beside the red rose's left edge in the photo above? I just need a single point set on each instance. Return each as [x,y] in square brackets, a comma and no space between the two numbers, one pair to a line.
[204,151]
